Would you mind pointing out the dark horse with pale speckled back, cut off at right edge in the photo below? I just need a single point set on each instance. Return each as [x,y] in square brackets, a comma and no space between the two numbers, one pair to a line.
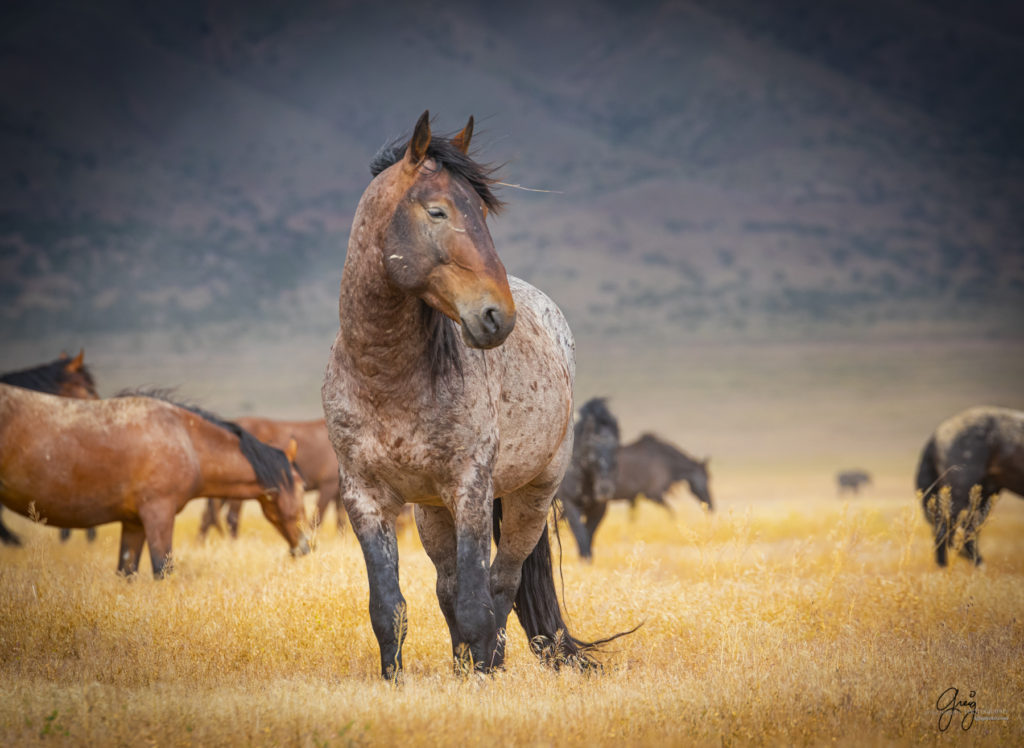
[970,459]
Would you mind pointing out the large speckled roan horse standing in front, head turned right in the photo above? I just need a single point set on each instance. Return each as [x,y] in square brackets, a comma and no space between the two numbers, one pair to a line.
[449,385]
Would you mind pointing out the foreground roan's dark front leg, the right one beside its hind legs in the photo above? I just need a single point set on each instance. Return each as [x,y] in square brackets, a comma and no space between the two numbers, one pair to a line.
[475,608]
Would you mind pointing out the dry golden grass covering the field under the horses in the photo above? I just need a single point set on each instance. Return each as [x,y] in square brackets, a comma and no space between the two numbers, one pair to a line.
[803,621]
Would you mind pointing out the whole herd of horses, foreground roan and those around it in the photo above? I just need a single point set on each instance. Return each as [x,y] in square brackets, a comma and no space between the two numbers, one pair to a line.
[449,388]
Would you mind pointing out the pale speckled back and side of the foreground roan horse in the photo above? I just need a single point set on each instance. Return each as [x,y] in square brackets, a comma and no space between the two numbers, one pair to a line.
[536,405]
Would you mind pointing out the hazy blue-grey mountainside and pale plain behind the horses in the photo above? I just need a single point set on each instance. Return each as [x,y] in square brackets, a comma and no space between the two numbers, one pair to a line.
[783,233]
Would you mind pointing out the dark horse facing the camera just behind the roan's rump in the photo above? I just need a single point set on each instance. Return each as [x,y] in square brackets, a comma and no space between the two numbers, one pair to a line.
[591,478]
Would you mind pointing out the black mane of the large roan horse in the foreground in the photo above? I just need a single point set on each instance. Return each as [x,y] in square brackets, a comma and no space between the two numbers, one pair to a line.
[446,361]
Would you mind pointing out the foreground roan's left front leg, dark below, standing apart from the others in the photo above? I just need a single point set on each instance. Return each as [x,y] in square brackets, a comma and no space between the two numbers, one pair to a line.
[373,515]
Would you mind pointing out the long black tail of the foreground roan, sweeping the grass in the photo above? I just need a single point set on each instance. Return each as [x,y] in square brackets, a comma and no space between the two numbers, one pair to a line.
[540,613]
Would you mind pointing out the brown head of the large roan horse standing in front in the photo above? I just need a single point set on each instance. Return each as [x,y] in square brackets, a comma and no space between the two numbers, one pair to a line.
[438,246]
